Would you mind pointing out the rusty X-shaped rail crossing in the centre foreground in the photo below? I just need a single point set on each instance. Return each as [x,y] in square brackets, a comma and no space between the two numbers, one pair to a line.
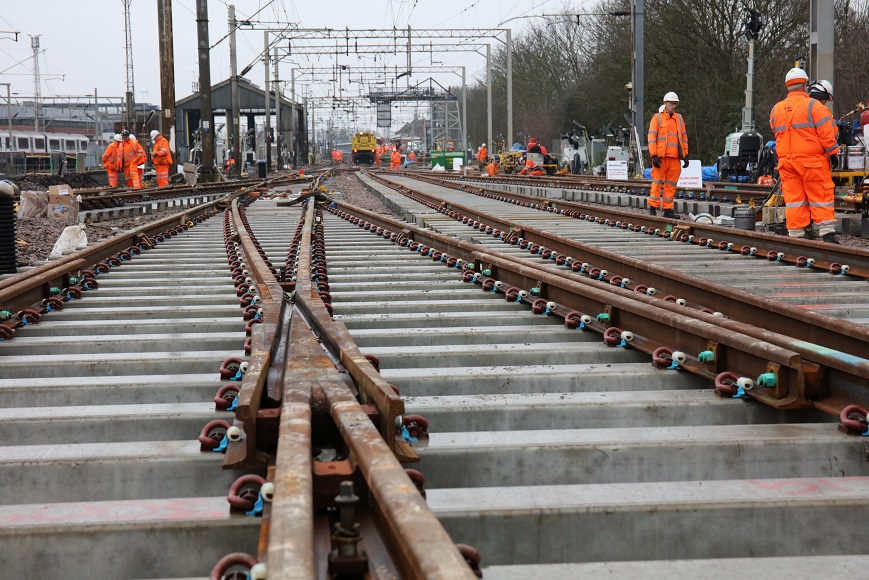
[399,531]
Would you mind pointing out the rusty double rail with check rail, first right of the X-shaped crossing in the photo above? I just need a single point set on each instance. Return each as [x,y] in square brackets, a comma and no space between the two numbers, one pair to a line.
[811,384]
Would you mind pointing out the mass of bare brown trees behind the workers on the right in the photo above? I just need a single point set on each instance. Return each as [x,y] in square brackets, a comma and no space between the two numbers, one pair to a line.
[572,68]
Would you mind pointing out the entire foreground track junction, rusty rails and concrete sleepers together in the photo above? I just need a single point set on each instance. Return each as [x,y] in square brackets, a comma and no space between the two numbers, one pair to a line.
[548,449]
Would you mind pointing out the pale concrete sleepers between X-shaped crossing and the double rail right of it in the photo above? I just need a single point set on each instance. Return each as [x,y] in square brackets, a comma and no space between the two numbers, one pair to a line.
[547,446]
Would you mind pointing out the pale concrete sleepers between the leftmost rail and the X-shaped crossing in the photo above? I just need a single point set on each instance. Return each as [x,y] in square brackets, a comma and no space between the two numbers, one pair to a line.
[102,404]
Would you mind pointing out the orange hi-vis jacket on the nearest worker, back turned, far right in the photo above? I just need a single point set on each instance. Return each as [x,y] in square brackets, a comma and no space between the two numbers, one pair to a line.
[803,126]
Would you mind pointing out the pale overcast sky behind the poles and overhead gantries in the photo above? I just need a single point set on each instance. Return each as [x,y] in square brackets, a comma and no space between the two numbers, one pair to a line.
[83,40]
